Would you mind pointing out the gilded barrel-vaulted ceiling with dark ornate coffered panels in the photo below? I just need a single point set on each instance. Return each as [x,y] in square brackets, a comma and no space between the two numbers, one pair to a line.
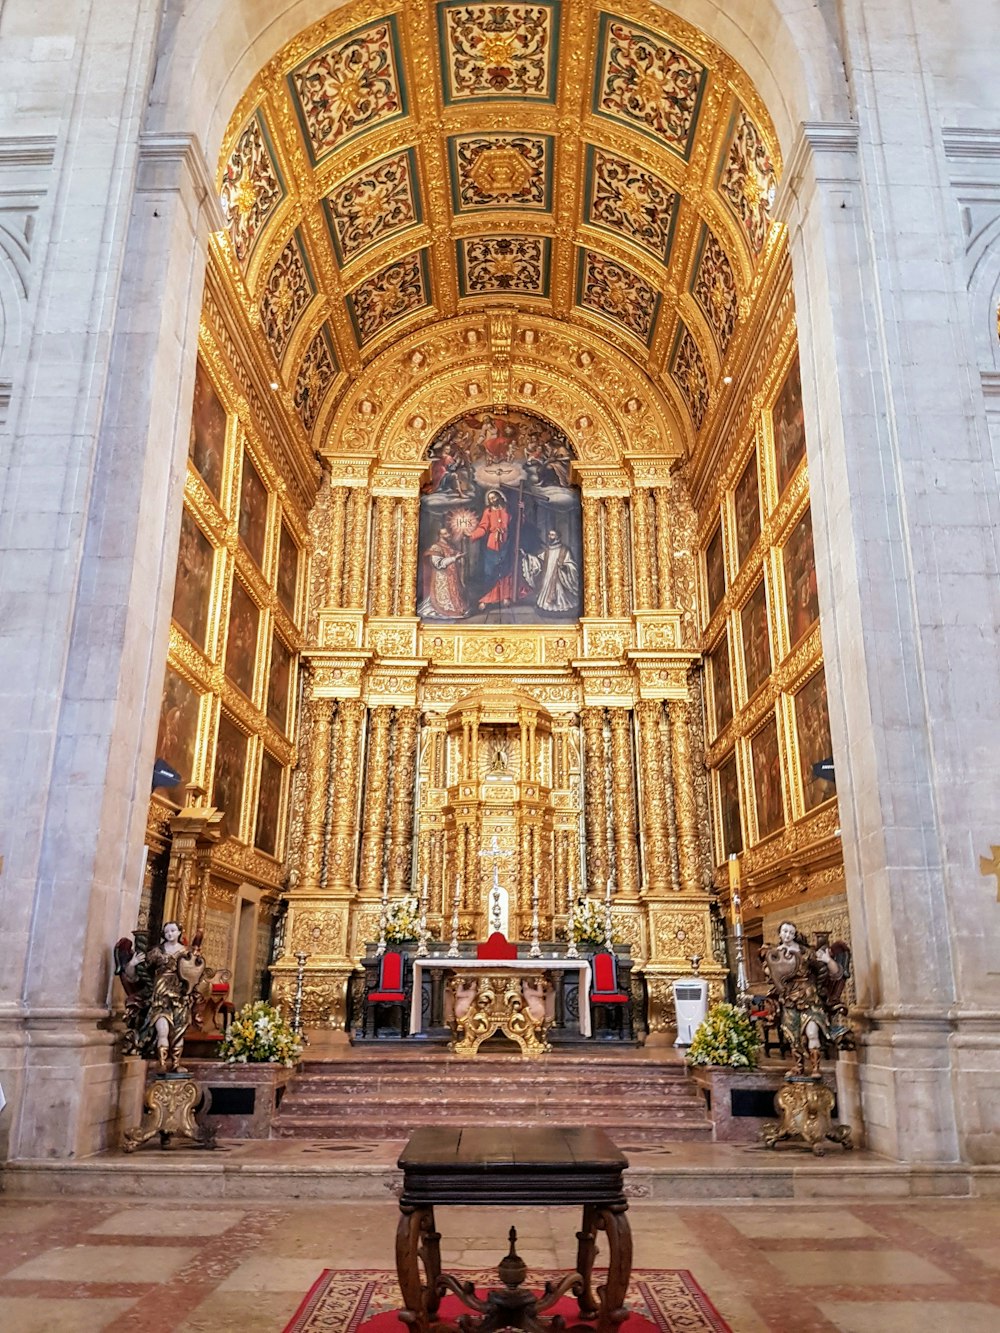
[395,167]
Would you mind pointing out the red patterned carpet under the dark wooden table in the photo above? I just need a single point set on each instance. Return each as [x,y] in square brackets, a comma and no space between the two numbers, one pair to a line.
[366,1302]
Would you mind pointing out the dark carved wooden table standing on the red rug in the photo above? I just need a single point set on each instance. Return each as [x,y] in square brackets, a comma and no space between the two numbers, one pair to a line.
[513,1167]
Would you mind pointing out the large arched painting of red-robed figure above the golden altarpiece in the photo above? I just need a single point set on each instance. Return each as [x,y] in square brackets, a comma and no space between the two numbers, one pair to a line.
[501,539]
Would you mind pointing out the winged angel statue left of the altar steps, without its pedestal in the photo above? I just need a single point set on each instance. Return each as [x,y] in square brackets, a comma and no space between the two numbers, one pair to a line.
[161,995]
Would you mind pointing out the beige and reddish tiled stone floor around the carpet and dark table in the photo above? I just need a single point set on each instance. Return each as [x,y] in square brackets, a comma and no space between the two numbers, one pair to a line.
[81,1267]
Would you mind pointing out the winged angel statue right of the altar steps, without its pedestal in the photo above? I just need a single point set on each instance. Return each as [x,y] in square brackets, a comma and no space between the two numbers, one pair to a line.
[807,987]
